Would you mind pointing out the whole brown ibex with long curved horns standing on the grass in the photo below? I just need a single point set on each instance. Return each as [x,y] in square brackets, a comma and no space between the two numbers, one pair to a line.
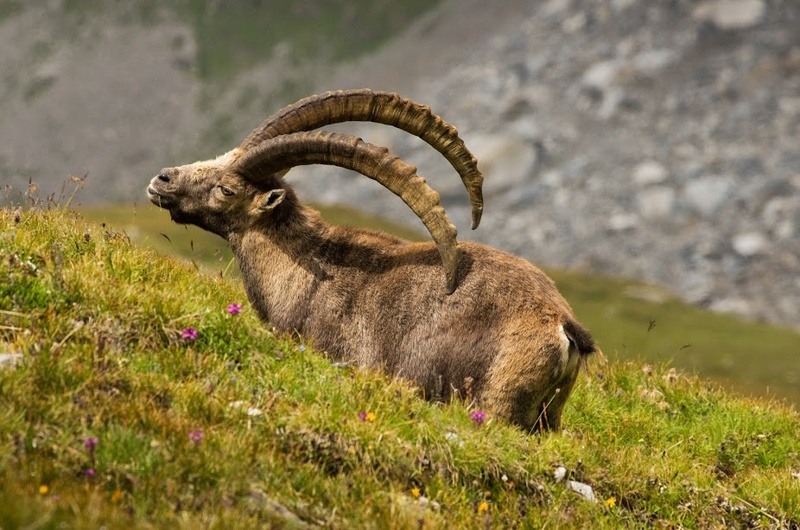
[485,325]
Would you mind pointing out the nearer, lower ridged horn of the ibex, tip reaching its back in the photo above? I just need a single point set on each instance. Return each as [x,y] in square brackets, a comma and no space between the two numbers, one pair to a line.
[289,150]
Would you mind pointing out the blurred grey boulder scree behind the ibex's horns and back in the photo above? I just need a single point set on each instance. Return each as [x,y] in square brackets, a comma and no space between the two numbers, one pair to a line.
[656,140]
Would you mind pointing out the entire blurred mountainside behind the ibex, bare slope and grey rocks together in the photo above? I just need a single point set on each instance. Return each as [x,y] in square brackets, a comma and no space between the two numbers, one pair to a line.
[657,140]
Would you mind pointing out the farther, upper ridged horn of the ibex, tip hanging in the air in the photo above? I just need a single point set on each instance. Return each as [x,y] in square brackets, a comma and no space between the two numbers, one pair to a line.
[379,107]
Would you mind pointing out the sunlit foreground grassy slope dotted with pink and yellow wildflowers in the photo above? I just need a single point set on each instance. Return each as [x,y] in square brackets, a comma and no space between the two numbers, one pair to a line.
[99,323]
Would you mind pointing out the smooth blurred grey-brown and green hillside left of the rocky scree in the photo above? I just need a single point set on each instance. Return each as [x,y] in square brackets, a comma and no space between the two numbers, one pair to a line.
[117,90]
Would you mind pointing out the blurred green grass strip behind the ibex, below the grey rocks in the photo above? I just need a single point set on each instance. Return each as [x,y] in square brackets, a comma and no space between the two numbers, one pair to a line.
[631,321]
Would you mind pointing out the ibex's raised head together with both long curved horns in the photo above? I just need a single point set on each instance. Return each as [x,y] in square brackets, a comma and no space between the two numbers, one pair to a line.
[244,186]
